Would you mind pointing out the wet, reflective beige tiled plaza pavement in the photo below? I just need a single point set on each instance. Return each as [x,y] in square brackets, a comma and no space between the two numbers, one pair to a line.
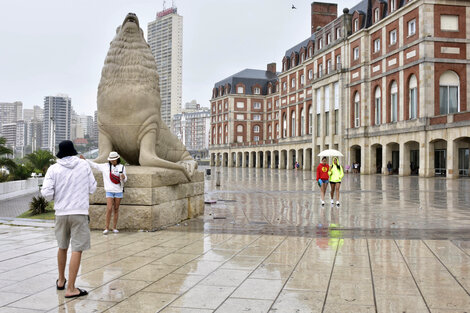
[396,244]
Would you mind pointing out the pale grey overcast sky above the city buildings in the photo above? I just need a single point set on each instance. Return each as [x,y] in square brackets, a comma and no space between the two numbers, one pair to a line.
[49,47]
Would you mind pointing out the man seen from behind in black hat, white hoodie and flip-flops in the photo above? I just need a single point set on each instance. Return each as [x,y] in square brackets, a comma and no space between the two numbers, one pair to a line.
[69,183]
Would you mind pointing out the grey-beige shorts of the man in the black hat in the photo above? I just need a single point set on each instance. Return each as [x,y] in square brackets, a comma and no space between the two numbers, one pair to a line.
[73,227]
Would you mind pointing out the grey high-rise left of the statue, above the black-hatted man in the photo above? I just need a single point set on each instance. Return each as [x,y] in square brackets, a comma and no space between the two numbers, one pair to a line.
[57,121]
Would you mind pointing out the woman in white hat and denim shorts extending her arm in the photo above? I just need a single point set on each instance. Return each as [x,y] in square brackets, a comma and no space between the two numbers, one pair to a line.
[114,177]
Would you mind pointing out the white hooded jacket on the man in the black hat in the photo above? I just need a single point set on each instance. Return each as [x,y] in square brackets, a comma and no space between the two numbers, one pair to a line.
[69,182]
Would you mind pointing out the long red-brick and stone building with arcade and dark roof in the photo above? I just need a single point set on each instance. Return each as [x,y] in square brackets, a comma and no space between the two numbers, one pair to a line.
[385,81]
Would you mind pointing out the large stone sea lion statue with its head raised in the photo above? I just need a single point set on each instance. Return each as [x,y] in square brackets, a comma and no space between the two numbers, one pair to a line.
[129,104]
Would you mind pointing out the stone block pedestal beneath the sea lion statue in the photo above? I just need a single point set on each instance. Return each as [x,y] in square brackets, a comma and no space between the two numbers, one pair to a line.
[153,198]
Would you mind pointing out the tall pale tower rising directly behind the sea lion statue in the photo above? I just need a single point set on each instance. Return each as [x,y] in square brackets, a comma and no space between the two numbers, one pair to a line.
[165,37]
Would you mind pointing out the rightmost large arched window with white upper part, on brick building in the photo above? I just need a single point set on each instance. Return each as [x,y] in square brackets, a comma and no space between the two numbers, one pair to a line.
[449,84]
